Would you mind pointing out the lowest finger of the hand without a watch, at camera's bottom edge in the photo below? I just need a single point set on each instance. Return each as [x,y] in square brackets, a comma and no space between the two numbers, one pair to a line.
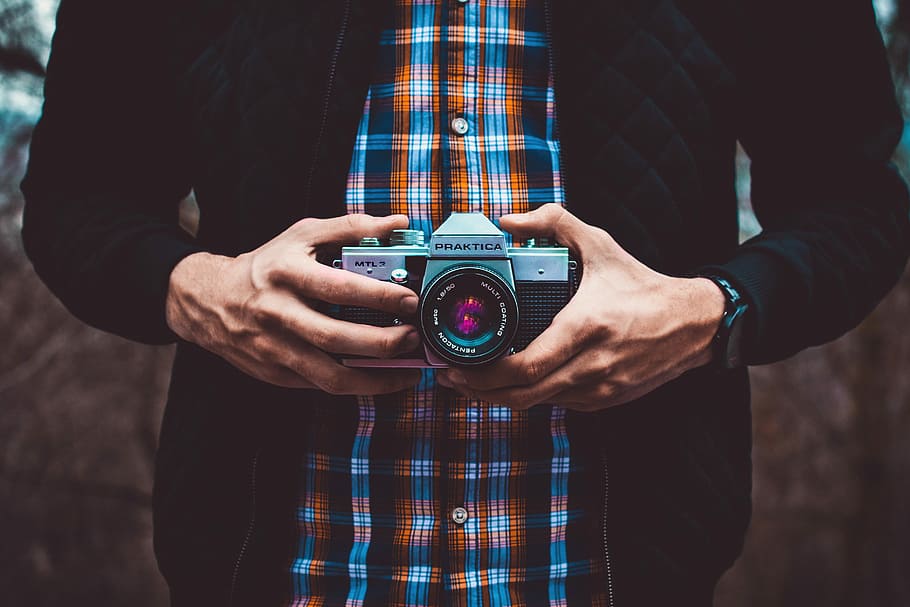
[332,377]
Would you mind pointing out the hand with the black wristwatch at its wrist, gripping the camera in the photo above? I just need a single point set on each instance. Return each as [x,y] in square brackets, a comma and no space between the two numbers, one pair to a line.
[626,331]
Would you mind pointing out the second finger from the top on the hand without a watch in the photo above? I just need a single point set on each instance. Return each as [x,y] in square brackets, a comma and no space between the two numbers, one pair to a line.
[319,282]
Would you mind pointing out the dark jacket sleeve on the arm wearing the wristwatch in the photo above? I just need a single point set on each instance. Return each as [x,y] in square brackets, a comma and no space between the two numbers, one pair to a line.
[818,117]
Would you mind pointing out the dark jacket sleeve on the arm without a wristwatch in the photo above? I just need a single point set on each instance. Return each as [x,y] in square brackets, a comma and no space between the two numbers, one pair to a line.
[108,167]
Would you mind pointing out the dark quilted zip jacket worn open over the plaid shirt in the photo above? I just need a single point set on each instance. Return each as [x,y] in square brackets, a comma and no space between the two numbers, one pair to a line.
[254,105]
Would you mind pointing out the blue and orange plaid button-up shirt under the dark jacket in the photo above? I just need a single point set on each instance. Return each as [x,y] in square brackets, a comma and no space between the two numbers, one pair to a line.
[379,484]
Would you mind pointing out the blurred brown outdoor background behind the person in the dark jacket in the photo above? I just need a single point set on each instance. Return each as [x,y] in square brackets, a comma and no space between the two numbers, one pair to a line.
[79,414]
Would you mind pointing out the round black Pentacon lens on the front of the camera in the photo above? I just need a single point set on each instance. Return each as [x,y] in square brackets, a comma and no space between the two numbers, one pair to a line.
[469,315]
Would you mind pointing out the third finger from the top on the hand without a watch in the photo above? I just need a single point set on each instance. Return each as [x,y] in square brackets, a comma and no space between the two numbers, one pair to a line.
[339,336]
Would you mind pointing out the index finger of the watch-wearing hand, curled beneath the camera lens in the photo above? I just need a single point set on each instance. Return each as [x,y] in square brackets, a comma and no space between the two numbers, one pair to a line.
[549,350]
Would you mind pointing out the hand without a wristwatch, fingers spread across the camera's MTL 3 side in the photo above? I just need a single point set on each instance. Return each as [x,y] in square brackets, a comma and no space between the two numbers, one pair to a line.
[257,310]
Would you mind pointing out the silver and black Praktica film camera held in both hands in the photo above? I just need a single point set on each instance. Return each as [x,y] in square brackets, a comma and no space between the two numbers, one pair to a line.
[479,298]
